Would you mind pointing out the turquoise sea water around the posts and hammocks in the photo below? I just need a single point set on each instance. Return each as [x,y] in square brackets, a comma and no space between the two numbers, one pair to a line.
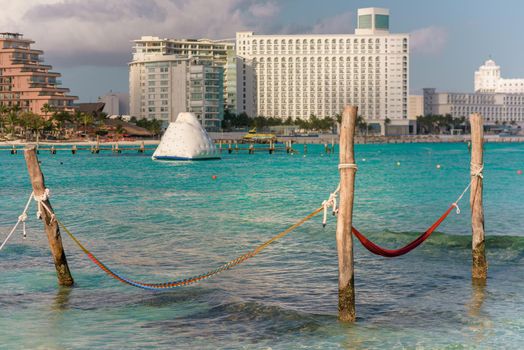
[162,221]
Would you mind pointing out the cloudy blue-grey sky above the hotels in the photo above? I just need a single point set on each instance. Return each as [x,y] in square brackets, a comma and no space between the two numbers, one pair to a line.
[89,41]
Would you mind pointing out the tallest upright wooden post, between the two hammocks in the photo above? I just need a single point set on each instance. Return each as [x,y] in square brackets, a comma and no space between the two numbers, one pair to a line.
[346,285]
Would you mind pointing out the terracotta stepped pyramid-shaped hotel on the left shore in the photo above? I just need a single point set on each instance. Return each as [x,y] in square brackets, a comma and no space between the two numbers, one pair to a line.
[25,81]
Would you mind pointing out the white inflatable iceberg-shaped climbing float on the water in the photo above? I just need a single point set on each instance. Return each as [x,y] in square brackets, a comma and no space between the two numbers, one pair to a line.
[186,139]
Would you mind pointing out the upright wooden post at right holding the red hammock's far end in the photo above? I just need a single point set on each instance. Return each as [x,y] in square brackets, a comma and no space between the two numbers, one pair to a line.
[480,266]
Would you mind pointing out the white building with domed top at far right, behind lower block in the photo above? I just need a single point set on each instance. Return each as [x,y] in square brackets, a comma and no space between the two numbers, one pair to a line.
[488,79]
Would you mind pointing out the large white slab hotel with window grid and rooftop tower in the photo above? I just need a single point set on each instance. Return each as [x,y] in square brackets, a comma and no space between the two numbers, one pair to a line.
[300,75]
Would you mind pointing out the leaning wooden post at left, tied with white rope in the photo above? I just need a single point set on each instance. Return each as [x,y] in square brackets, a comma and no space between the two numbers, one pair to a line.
[51,226]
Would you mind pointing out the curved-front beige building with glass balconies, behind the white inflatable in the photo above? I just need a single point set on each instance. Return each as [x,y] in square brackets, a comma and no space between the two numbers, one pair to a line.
[161,86]
